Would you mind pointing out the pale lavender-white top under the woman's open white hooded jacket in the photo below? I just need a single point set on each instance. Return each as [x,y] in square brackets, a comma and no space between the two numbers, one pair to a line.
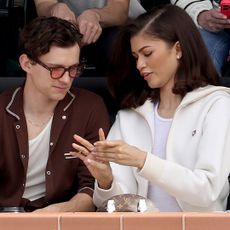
[162,200]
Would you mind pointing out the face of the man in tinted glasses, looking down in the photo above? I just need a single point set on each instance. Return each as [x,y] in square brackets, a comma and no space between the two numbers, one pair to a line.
[39,78]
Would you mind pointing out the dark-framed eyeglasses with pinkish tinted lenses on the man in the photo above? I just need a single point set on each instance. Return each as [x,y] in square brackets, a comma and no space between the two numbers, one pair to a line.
[59,71]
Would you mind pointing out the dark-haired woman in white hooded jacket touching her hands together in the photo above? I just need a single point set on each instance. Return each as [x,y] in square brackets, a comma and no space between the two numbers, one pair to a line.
[170,141]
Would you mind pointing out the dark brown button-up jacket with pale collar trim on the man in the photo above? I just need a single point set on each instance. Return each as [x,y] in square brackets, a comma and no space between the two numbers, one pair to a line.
[80,112]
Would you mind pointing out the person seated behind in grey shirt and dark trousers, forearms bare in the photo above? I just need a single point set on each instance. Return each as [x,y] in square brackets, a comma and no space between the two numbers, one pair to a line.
[98,21]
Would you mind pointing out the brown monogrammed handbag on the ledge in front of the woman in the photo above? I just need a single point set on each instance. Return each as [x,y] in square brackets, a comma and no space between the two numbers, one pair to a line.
[127,203]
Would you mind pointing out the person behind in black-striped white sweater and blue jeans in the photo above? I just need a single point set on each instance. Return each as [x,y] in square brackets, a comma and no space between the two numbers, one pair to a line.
[214,28]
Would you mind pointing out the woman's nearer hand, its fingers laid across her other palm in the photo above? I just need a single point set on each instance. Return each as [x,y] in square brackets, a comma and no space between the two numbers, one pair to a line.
[120,153]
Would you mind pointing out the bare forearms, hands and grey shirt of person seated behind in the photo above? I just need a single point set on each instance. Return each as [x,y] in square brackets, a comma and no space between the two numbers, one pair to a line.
[90,15]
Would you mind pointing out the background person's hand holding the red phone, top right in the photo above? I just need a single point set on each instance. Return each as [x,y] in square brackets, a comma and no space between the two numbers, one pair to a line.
[213,20]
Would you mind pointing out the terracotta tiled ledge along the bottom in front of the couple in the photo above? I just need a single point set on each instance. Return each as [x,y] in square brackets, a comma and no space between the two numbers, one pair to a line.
[115,221]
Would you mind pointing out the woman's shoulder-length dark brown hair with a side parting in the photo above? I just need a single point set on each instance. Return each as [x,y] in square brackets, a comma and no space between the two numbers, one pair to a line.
[170,24]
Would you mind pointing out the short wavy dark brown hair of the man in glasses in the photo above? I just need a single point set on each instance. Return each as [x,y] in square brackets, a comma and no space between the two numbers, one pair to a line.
[40,34]
